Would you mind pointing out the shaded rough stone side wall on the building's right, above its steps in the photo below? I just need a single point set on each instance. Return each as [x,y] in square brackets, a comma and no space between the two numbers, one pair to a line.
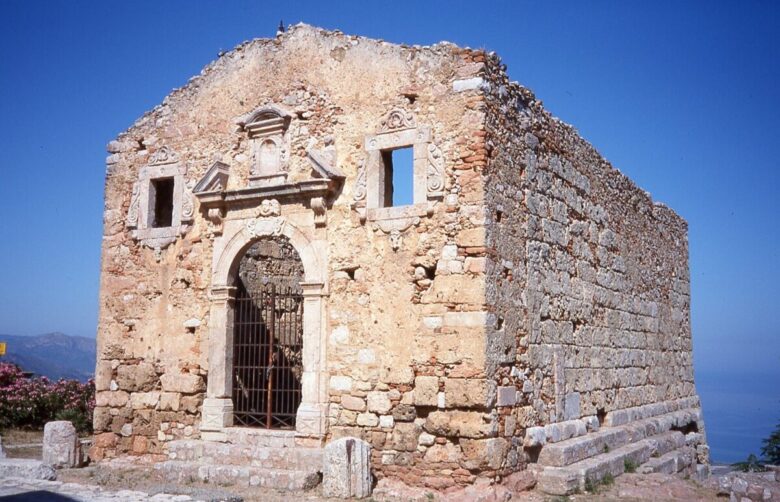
[587,275]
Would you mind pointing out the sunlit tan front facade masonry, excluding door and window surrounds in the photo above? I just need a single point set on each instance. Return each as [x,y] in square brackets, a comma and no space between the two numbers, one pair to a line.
[405,327]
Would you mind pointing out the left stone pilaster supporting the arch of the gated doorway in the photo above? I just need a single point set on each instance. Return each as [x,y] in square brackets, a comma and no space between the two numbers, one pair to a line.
[218,405]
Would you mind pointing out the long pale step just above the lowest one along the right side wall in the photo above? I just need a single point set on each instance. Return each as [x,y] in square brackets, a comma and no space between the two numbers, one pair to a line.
[607,439]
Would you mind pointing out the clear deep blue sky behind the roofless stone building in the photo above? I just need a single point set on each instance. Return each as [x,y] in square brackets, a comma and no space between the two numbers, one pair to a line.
[684,97]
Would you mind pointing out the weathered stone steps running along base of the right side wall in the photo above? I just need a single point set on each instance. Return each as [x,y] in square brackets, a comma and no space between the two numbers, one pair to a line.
[655,444]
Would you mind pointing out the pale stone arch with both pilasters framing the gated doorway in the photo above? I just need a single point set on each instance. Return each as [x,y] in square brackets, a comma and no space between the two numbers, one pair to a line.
[218,407]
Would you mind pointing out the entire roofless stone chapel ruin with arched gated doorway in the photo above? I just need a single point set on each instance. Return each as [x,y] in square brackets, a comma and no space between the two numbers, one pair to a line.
[263,295]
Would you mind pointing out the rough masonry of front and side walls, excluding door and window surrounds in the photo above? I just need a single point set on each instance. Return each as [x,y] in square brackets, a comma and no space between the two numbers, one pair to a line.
[543,286]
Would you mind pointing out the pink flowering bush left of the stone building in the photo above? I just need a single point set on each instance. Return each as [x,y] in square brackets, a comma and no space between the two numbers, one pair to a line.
[31,402]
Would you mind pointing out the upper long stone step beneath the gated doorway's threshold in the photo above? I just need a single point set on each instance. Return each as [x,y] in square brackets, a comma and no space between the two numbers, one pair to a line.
[208,452]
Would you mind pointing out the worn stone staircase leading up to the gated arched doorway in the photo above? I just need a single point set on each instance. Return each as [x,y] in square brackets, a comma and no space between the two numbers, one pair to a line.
[244,457]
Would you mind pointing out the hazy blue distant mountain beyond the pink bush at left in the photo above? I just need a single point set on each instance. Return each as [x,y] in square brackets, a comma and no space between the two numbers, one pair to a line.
[55,355]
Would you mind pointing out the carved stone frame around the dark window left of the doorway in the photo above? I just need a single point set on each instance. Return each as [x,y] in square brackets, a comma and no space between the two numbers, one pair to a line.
[162,165]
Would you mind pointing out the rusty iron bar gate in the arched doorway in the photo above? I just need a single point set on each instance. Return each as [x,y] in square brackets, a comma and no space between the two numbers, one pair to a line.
[267,356]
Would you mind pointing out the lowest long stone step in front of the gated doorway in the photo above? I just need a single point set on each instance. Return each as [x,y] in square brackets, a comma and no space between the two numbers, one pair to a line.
[178,471]
